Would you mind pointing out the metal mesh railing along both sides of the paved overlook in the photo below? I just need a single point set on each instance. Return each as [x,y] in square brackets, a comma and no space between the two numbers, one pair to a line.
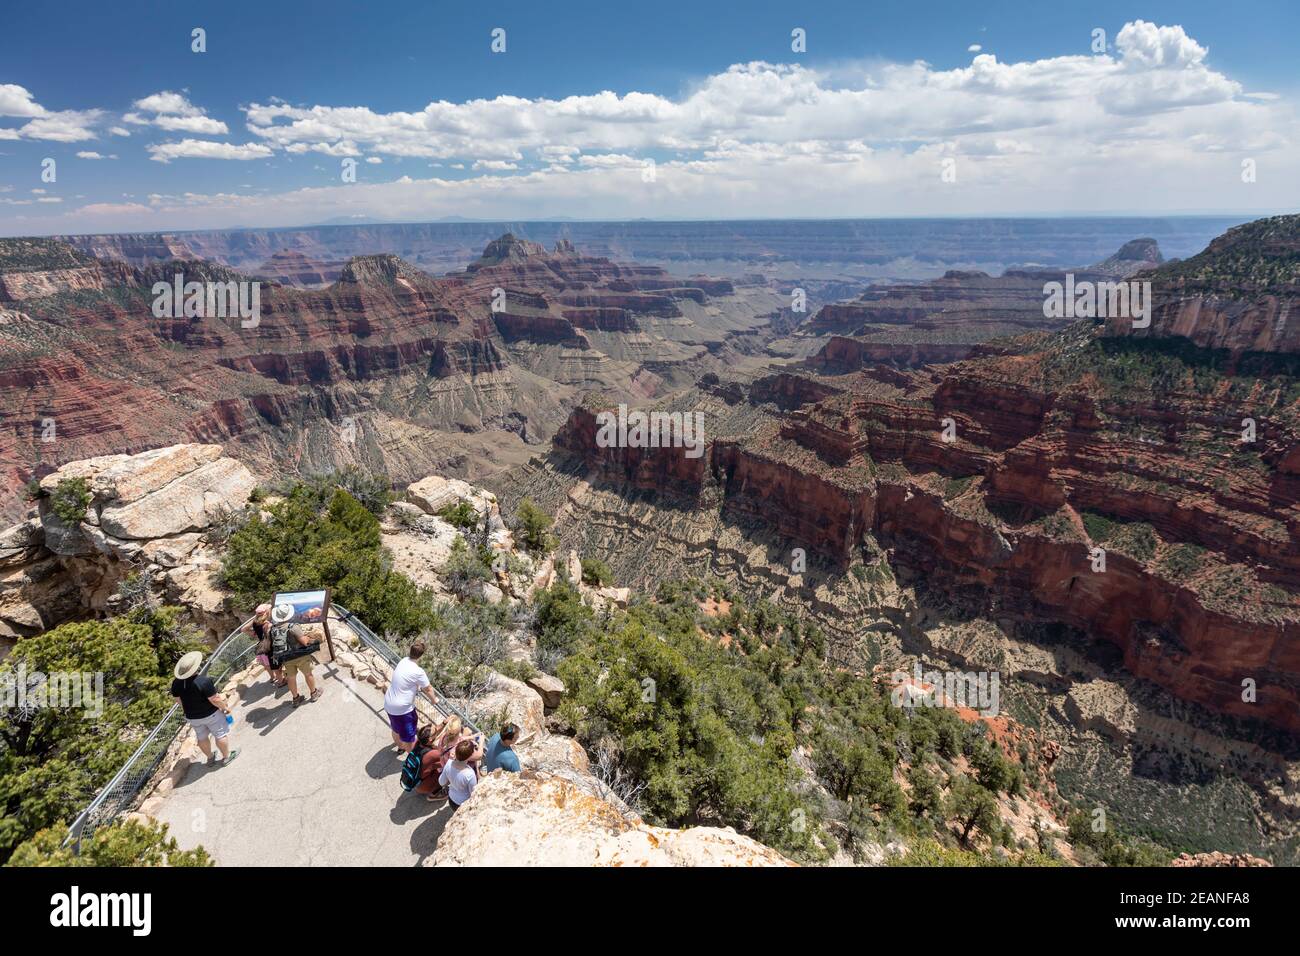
[233,654]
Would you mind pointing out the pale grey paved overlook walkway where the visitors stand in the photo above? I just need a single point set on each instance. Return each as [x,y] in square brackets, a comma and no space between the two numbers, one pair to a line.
[313,788]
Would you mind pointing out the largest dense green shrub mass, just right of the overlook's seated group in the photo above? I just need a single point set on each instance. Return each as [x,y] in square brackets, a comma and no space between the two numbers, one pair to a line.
[699,732]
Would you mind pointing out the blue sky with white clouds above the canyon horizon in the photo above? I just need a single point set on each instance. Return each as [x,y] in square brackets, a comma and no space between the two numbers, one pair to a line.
[1012,102]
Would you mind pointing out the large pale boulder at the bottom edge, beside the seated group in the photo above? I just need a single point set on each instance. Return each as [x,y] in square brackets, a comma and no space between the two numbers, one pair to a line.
[527,820]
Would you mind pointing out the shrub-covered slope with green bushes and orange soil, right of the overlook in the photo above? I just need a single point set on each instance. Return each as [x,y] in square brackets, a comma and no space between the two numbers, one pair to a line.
[709,716]
